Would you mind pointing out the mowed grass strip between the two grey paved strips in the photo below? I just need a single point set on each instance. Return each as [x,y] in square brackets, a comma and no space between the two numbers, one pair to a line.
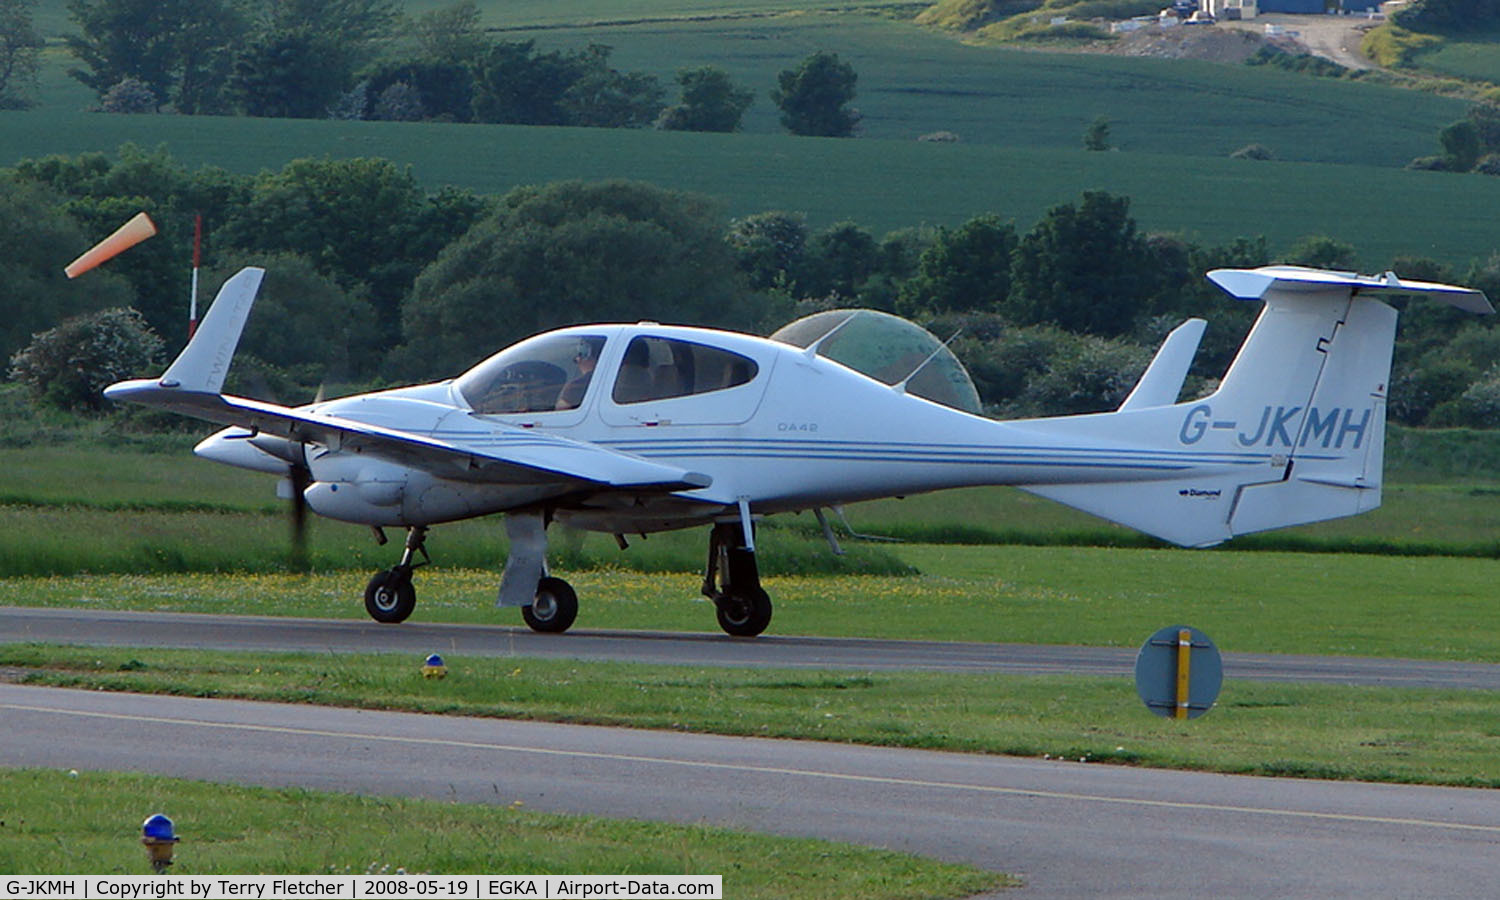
[1267,730]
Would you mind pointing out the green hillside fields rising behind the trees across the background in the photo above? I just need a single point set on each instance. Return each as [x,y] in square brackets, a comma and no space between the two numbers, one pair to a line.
[1021,113]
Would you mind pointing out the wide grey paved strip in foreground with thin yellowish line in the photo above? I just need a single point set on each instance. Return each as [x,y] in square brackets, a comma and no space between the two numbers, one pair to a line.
[1070,830]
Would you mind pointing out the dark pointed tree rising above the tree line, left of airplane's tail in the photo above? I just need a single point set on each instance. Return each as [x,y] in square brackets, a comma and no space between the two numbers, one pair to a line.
[1084,268]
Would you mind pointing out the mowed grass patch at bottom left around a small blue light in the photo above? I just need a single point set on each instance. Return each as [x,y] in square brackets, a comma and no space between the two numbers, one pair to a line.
[56,824]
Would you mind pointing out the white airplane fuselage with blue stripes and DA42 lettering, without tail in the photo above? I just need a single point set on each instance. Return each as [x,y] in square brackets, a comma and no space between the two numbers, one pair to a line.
[800,433]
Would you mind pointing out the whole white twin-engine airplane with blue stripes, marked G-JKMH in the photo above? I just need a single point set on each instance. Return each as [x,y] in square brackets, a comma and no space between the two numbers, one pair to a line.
[631,430]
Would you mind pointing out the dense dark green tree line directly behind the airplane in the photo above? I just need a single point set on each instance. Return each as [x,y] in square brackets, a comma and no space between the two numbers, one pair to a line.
[374,281]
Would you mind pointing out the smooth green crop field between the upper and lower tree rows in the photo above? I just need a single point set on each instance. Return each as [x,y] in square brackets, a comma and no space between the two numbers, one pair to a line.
[881,185]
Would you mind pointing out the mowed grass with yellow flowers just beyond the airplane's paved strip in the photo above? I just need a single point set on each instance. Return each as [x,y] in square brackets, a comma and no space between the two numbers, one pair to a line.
[1267,602]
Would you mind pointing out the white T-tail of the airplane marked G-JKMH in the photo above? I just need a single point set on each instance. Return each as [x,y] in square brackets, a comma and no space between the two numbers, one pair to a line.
[1297,431]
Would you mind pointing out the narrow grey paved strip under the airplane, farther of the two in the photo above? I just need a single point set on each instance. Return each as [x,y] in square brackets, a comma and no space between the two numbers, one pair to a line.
[224,632]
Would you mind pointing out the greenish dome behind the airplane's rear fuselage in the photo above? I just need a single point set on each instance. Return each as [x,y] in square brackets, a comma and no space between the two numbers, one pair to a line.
[887,349]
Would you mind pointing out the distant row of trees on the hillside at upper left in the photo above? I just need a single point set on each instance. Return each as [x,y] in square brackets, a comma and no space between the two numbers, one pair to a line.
[365,59]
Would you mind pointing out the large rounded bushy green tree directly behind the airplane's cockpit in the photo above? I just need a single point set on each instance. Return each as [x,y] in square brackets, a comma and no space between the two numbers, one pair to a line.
[572,253]
